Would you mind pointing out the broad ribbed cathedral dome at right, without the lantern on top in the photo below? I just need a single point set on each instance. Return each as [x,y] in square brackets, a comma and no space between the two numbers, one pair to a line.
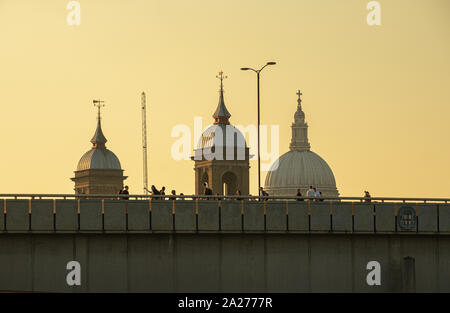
[300,169]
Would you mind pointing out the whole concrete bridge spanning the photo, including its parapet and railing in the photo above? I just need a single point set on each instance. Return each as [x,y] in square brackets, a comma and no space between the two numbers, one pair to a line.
[223,244]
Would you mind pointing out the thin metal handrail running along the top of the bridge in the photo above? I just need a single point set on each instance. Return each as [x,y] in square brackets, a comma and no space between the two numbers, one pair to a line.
[221,197]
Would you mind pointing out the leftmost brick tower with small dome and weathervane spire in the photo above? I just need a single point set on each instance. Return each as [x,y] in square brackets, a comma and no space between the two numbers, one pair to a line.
[99,170]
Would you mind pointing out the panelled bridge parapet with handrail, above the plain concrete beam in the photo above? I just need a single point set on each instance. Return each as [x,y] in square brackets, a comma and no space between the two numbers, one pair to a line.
[151,214]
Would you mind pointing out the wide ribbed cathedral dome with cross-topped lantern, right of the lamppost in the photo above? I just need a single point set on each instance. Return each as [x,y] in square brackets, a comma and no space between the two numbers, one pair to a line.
[300,167]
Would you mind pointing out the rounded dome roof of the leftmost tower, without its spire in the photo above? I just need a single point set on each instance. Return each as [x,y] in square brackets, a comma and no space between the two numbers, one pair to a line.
[99,158]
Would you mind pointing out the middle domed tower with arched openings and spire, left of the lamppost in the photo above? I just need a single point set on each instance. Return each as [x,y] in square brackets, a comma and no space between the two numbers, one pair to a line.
[222,156]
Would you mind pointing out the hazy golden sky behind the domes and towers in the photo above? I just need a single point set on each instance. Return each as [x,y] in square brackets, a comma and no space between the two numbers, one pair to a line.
[376,98]
